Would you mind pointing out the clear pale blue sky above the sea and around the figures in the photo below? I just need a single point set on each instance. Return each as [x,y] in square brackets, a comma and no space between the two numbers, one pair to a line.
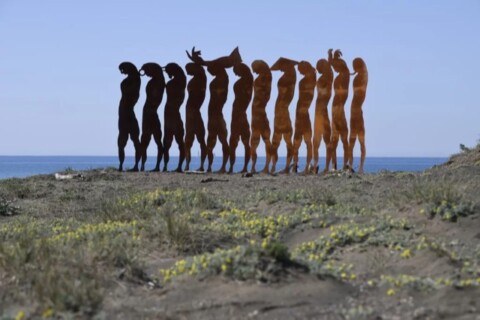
[59,78]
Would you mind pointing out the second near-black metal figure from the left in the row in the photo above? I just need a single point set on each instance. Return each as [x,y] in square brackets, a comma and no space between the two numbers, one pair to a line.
[151,122]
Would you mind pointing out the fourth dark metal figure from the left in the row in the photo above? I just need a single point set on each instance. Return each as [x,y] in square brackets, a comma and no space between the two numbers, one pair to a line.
[194,124]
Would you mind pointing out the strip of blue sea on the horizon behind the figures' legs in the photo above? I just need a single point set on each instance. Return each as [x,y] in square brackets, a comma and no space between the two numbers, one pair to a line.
[23,166]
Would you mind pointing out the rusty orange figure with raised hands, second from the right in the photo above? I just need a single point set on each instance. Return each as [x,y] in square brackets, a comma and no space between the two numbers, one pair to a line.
[339,122]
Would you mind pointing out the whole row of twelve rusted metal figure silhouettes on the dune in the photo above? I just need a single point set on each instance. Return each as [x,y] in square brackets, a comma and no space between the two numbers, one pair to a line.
[244,88]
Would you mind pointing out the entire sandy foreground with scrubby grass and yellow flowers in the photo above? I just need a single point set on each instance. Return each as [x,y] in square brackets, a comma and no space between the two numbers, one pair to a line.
[342,246]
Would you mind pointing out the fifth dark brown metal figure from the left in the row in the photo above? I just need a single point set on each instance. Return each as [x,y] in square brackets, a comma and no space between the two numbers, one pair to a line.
[217,126]
